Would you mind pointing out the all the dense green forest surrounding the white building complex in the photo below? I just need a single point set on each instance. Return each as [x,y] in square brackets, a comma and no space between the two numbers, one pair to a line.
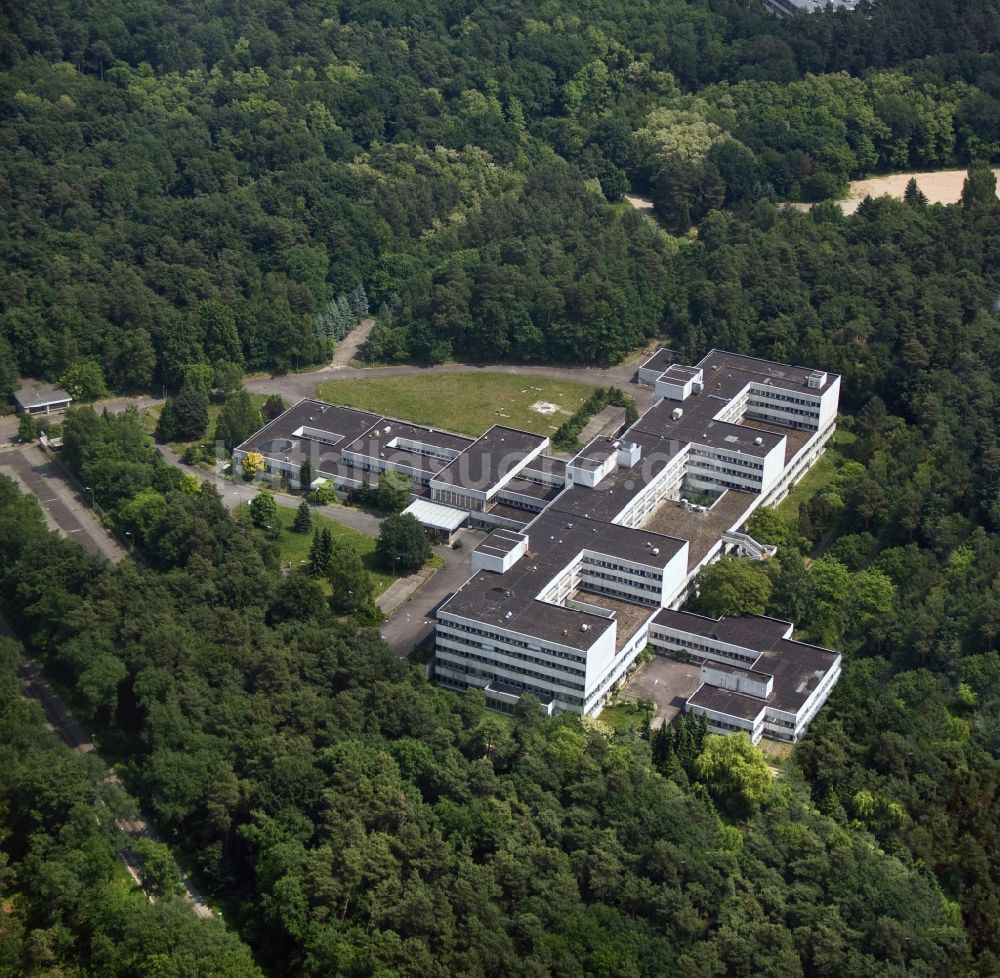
[192,190]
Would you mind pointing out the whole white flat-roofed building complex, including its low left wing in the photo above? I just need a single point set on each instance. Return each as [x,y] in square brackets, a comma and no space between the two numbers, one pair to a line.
[587,556]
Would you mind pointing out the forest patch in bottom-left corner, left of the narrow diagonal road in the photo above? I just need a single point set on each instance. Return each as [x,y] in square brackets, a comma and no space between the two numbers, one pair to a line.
[68,907]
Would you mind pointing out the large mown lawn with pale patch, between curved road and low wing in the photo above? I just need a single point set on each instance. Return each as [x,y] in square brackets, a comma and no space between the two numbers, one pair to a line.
[468,403]
